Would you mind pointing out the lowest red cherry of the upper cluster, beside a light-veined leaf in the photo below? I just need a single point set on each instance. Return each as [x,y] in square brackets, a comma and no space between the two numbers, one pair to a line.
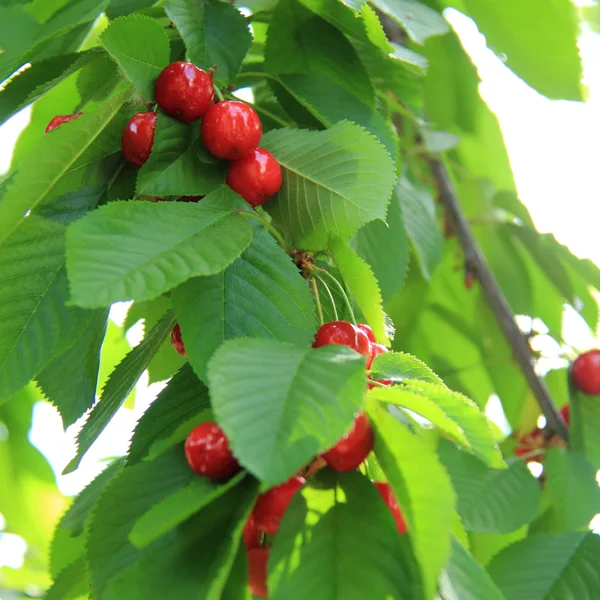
[256,177]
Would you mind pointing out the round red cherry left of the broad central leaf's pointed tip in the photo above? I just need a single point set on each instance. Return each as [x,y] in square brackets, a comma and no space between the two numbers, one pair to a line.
[207,452]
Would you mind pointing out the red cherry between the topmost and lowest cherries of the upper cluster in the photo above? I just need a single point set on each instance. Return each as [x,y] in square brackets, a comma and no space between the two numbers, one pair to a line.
[231,129]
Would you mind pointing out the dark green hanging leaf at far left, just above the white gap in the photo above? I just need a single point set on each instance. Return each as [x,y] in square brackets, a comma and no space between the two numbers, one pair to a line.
[69,380]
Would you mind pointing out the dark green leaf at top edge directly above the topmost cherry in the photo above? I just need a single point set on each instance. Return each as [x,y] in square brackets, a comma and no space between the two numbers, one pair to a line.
[215,34]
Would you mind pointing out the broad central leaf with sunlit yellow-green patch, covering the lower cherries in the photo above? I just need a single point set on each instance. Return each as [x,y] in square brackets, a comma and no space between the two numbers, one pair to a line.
[301,400]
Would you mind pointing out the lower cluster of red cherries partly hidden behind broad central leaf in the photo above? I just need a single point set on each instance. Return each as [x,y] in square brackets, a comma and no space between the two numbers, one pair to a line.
[208,454]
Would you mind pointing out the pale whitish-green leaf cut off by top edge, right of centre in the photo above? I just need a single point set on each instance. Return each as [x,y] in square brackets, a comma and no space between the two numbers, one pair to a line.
[420,21]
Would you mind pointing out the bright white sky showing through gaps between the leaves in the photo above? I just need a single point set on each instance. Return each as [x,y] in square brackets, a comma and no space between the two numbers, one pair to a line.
[554,148]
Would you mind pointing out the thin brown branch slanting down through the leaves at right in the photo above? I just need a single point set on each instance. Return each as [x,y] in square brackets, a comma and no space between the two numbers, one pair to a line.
[497,301]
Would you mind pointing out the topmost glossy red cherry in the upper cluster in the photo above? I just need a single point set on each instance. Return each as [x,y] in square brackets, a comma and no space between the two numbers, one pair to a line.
[184,91]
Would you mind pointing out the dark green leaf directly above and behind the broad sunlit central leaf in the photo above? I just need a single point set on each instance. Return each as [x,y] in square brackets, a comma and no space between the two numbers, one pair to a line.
[261,295]
